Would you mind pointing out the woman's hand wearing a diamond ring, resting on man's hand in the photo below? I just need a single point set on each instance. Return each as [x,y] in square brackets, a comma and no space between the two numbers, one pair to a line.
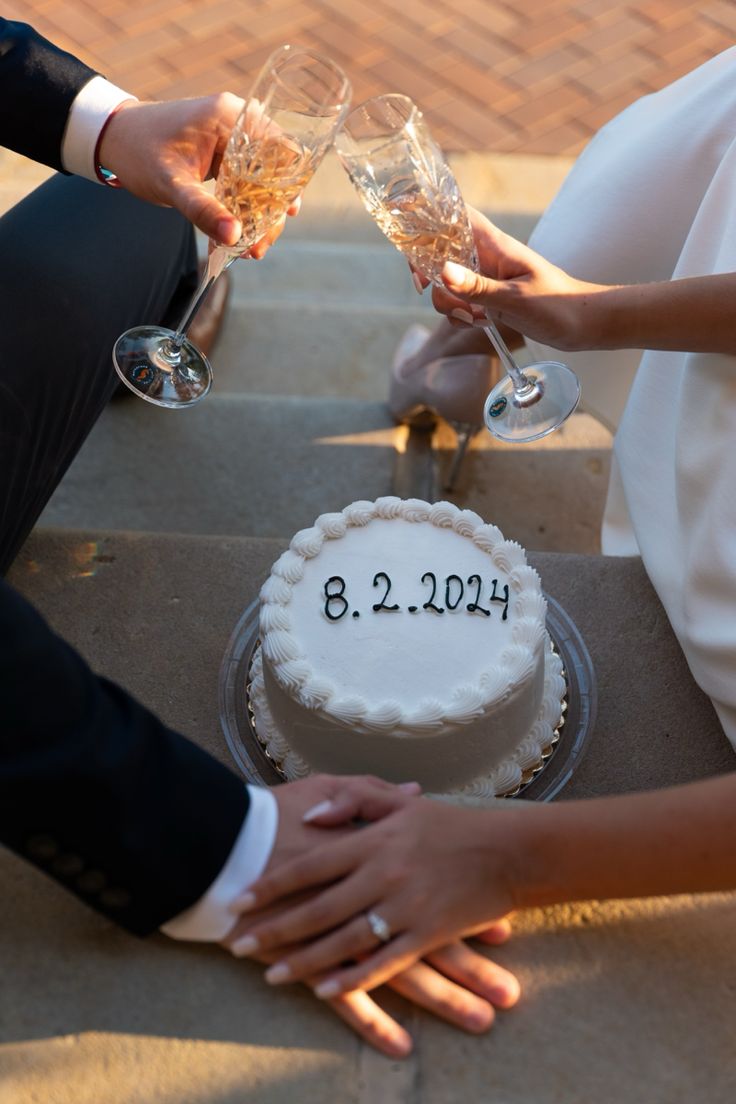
[430,871]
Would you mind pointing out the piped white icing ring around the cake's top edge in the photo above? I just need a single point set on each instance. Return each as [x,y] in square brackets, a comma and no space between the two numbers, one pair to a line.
[314,692]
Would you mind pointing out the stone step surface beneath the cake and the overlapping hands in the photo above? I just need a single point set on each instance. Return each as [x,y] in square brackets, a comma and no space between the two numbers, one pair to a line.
[625,1003]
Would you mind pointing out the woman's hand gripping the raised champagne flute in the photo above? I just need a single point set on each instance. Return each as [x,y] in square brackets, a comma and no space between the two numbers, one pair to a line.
[521,291]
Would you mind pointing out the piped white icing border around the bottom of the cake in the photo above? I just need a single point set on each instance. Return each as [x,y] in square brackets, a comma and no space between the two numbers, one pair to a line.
[505,780]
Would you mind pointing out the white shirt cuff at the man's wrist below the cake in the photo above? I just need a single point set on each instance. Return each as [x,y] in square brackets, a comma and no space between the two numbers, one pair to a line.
[209,919]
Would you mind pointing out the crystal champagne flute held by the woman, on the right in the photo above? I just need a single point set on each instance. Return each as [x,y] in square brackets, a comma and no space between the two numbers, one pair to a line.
[409,189]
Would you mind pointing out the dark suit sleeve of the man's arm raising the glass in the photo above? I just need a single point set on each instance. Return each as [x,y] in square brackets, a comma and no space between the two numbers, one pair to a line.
[39,83]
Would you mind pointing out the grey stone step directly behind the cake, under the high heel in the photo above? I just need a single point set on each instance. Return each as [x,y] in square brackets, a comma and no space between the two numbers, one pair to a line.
[266,466]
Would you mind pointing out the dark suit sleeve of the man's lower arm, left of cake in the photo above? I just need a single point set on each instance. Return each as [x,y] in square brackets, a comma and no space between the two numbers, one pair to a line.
[94,790]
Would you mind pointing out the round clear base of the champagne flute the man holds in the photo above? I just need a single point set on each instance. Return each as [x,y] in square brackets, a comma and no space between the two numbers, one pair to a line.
[145,362]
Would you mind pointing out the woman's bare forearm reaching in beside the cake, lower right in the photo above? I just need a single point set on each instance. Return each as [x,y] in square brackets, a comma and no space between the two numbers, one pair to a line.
[641,845]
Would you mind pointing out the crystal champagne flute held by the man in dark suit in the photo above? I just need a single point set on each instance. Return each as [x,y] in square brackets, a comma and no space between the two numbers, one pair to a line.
[290,122]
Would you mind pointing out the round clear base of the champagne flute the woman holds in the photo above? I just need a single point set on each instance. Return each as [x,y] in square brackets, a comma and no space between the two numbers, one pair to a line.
[552,396]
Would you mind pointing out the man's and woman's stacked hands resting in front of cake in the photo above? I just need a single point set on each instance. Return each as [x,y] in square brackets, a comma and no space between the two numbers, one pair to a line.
[421,865]
